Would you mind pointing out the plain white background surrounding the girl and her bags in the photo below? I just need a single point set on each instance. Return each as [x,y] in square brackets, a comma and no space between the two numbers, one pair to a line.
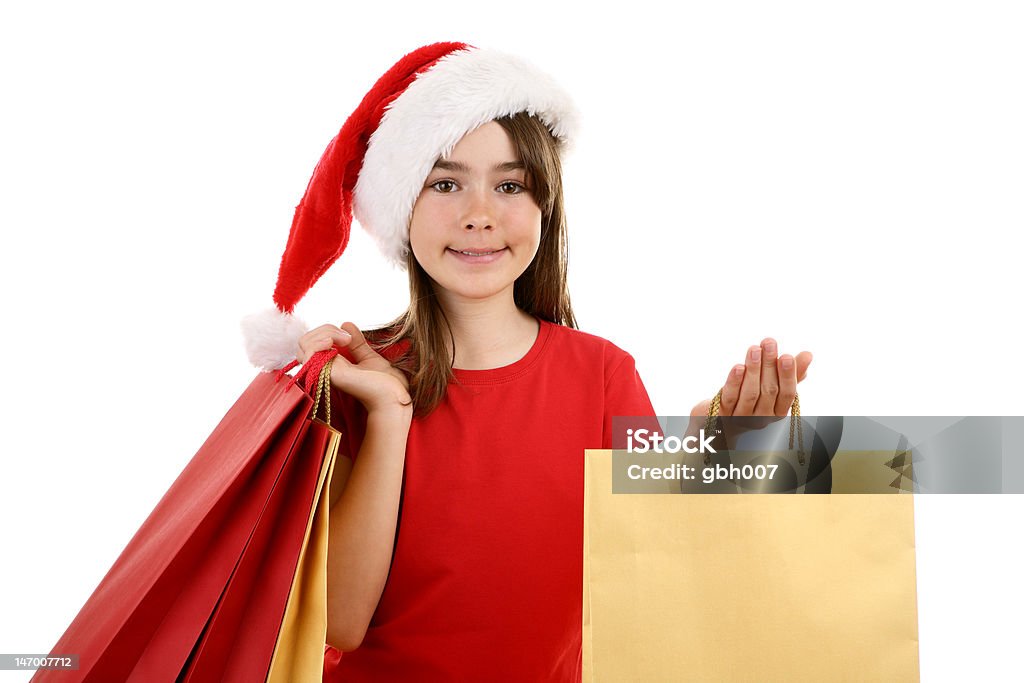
[843,177]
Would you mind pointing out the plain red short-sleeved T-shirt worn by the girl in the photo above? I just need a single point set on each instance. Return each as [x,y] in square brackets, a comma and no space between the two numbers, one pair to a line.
[487,578]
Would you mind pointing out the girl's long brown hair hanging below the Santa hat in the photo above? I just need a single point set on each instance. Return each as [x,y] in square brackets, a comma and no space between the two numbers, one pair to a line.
[541,291]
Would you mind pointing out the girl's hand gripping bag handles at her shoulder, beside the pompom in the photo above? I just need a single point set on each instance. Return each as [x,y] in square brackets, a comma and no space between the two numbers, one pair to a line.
[372,379]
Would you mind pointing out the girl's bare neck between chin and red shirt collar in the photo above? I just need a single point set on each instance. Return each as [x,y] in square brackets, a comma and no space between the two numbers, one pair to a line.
[489,336]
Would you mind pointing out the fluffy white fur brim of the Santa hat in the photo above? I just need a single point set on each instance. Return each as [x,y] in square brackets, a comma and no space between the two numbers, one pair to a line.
[460,94]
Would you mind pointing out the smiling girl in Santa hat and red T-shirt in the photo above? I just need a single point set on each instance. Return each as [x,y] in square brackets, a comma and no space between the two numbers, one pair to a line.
[456,525]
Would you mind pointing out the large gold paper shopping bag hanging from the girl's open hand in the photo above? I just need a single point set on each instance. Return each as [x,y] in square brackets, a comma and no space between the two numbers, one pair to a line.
[747,588]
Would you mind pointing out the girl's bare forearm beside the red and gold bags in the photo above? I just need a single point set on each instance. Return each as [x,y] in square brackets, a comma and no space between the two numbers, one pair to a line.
[363,527]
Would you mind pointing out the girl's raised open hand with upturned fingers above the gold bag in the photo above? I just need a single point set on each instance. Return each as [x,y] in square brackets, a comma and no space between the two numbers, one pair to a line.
[764,386]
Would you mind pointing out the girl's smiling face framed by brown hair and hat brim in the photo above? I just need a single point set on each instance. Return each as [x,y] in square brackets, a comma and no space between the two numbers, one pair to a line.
[476,227]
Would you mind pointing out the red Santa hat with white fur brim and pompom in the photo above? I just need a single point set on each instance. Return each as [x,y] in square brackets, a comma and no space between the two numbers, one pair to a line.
[375,167]
